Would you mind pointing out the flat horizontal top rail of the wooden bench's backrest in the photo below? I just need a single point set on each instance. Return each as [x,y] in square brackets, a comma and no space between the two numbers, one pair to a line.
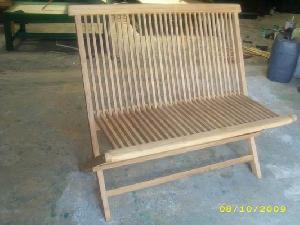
[75,10]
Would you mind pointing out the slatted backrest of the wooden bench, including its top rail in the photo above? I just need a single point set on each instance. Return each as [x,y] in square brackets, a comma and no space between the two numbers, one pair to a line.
[135,56]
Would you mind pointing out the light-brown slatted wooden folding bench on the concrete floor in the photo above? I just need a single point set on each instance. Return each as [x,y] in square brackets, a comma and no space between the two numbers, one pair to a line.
[162,80]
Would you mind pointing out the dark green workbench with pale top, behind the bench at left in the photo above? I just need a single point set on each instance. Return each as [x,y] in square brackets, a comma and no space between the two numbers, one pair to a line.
[36,12]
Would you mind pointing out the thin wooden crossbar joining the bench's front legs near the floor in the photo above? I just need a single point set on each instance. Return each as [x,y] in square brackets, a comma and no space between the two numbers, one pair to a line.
[176,176]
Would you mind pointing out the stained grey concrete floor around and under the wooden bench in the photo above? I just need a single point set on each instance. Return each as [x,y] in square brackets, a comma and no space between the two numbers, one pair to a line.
[44,138]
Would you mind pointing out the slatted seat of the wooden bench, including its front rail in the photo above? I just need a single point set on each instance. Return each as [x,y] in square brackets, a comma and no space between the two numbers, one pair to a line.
[136,133]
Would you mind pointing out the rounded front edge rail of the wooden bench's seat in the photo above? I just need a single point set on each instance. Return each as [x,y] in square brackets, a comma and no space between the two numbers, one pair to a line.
[196,139]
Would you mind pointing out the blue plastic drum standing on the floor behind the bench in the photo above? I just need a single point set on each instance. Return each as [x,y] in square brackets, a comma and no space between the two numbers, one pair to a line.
[283,60]
